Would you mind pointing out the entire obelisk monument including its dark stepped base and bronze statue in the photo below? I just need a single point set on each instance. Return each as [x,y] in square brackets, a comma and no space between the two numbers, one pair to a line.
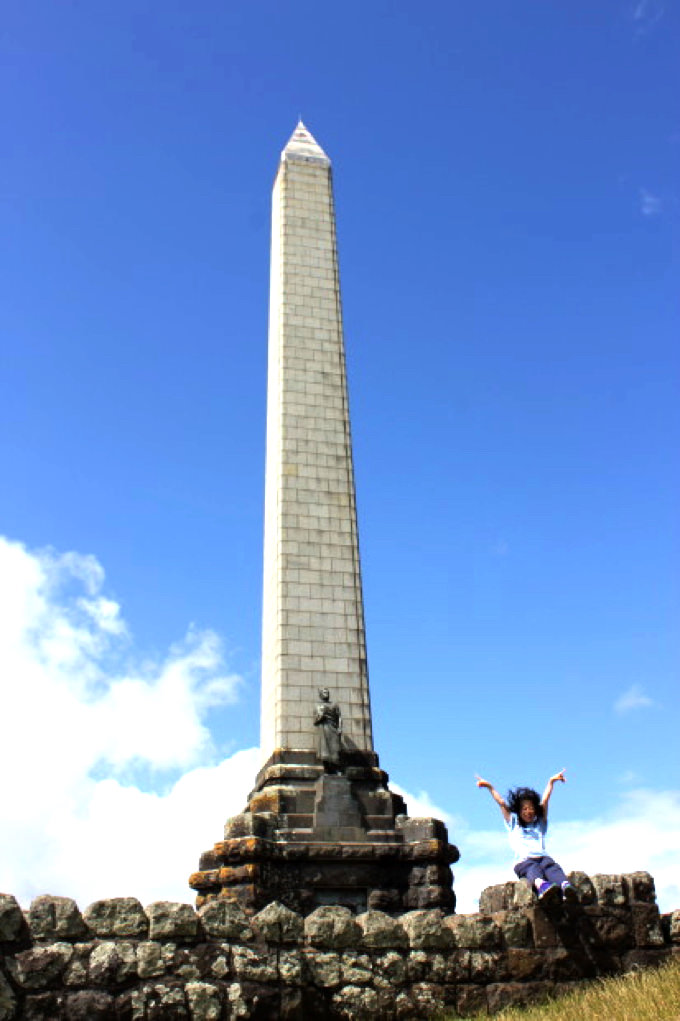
[321,825]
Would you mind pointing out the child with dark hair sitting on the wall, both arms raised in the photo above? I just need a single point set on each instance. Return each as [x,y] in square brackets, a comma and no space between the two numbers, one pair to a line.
[526,819]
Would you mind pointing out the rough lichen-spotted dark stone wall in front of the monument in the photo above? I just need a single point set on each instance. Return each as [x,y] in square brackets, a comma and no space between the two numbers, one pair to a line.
[119,962]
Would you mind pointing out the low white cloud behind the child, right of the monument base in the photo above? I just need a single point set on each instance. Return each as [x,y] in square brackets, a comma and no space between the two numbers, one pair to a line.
[642,832]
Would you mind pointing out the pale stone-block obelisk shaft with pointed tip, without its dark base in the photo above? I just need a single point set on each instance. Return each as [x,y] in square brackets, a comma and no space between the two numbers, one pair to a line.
[313,620]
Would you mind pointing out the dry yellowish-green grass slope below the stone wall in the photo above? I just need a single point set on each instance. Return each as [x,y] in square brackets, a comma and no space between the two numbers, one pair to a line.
[640,996]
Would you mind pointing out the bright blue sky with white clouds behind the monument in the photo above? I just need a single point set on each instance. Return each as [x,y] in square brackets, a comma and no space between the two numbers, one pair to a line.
[507,197]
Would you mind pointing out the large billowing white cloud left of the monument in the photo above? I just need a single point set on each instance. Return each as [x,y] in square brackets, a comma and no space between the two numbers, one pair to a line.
[80,717]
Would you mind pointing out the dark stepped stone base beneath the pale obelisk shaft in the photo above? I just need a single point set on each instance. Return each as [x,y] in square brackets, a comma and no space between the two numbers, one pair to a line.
[309,839]
